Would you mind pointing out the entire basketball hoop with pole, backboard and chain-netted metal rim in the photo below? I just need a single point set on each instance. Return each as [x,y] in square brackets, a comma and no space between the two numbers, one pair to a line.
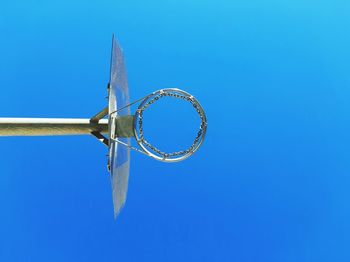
[114,126]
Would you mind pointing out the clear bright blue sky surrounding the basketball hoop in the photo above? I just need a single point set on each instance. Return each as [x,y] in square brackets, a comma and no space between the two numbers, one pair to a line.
[271,182]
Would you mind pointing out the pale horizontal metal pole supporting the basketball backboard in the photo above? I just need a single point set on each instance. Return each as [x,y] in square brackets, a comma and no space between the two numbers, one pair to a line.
[50,126]
